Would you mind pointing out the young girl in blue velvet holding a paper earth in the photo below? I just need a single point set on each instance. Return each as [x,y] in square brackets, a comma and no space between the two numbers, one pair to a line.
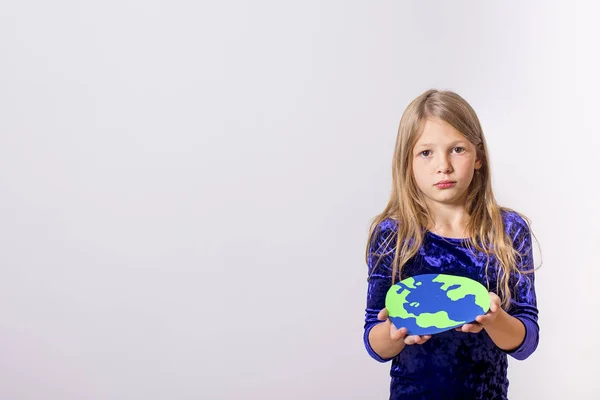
[442,218]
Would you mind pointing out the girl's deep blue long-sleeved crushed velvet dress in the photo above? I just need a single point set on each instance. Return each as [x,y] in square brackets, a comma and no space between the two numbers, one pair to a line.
[453,365]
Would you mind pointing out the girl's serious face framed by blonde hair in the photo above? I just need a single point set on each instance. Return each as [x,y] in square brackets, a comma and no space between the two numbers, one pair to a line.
[443,162]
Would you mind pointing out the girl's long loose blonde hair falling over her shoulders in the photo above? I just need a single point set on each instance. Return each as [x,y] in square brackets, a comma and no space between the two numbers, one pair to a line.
[407,206]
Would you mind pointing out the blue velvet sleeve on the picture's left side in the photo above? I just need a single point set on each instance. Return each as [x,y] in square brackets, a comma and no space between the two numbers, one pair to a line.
[379,261]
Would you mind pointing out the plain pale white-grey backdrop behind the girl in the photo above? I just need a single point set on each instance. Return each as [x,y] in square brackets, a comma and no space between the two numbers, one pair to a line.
[185,188]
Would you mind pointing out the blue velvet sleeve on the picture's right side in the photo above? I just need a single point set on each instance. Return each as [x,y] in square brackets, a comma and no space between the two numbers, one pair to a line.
[523,300]
